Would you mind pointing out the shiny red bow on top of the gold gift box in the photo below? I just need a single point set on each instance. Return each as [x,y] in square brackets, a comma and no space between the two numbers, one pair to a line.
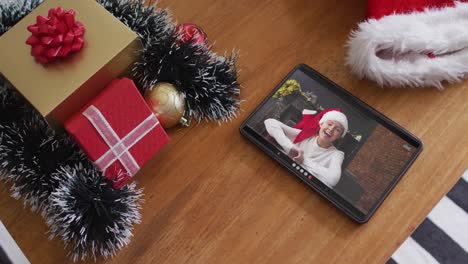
[56,35]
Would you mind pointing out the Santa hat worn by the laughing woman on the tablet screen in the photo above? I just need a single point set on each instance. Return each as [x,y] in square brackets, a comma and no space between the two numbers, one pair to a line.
[310,123]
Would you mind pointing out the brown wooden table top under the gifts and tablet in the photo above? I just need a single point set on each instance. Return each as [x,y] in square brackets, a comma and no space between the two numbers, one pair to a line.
[213,197]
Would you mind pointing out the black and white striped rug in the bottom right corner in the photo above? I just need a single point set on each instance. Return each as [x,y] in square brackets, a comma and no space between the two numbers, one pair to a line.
[443,235]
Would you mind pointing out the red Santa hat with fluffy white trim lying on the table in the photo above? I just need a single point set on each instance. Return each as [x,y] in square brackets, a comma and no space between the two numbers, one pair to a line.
[411,42]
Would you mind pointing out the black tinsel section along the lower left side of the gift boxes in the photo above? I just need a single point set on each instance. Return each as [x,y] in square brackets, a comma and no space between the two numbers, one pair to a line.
[52,175]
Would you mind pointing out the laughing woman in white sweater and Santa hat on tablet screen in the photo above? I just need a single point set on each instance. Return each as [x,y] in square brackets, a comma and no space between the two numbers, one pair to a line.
[310,142]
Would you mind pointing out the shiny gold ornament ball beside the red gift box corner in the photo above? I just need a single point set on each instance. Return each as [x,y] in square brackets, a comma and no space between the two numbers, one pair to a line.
[166,103]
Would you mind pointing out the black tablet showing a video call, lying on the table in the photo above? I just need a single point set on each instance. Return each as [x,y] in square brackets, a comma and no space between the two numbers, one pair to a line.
[335,143]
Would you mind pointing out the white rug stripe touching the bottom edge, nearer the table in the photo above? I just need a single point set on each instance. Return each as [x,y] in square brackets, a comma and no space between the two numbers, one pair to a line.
[410,252]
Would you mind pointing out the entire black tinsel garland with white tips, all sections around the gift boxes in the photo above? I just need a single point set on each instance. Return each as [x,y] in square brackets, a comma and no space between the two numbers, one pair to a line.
[51,174]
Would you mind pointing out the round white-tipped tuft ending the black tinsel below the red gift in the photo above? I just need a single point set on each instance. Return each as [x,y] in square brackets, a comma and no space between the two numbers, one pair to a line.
[90,215]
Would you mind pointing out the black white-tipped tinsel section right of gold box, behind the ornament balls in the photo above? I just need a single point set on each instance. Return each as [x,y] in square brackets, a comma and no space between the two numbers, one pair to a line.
[207,81]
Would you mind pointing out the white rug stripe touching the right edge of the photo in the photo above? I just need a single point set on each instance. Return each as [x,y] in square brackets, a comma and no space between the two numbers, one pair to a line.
[451,219]
